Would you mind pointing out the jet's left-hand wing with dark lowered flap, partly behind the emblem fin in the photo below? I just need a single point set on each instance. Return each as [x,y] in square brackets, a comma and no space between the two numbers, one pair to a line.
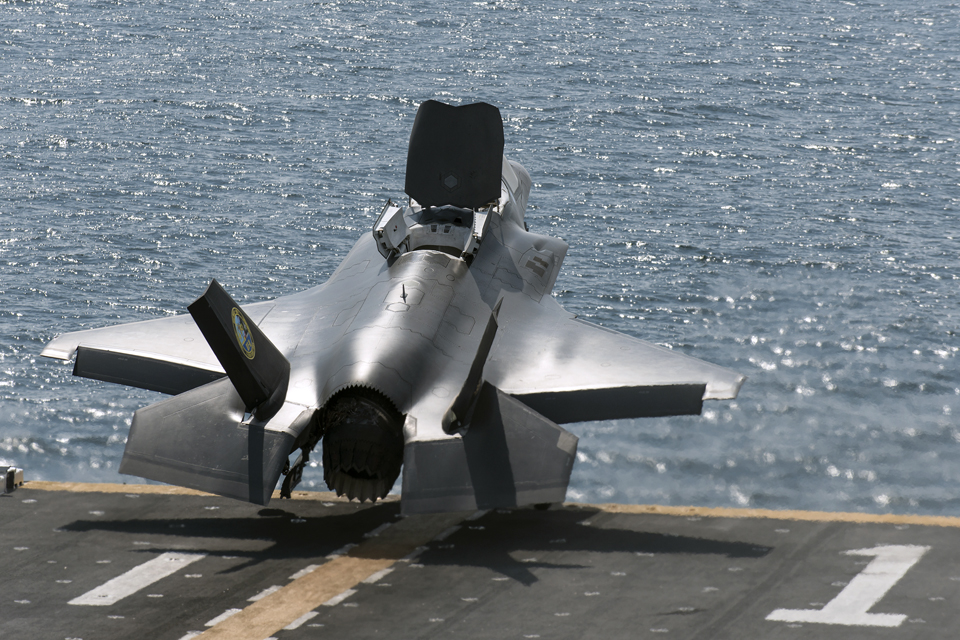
[169,355]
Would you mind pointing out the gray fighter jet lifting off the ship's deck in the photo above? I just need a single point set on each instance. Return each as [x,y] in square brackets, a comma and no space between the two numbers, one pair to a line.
[435,349]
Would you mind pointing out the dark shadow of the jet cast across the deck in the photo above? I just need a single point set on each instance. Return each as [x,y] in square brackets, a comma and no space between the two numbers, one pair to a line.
[489,542]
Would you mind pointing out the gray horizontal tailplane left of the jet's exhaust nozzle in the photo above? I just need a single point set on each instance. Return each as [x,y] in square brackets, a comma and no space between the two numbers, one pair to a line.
[198,440]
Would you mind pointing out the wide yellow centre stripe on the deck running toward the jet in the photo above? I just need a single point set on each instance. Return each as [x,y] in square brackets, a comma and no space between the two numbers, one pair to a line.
[268,615]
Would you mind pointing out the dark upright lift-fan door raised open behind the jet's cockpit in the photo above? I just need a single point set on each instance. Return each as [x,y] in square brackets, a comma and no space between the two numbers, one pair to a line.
[455,155]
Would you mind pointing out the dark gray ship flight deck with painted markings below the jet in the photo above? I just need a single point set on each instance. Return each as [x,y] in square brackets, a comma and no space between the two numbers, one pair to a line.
[115,561]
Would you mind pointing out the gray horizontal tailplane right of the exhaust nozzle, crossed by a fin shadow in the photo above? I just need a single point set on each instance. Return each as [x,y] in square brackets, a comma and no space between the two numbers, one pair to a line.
[510,456]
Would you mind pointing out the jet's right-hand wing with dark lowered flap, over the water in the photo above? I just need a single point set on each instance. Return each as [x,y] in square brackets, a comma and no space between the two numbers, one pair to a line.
[569,370]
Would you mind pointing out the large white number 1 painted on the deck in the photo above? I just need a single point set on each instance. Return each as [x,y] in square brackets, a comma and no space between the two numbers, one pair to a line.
[890,563]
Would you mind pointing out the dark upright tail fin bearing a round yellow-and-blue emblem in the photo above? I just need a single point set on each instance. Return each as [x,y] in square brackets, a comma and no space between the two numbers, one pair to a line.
[257,368]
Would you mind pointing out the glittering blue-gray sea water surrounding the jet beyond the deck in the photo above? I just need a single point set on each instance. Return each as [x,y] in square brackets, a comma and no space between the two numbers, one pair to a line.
[771,186]
